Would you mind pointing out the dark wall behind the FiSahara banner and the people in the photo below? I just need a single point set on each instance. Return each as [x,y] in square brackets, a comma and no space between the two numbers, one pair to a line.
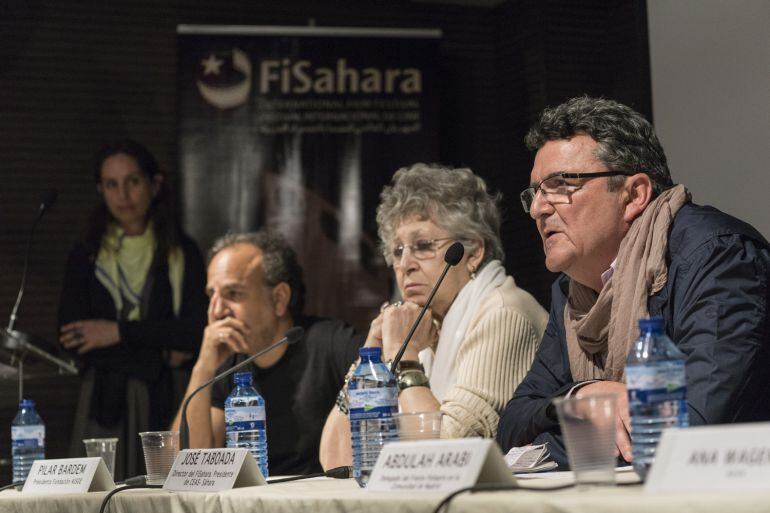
[73,74]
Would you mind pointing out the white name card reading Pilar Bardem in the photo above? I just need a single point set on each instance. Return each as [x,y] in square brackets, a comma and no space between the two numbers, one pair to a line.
[70,475]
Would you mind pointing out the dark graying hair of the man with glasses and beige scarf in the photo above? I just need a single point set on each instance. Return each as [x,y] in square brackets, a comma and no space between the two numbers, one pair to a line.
[627,141]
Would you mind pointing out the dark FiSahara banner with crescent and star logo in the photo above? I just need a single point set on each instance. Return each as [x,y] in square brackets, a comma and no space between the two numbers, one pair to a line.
[297,129]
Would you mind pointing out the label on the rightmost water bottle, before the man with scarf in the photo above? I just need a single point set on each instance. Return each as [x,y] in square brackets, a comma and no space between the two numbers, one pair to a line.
[656,382]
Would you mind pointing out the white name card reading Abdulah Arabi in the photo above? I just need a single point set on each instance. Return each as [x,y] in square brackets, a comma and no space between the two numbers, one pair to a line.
[438,466]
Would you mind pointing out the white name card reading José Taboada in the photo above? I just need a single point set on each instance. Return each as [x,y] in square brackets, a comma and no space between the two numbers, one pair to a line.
[213,470]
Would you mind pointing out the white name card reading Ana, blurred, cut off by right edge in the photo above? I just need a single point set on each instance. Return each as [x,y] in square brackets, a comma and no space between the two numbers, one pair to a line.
[723,458]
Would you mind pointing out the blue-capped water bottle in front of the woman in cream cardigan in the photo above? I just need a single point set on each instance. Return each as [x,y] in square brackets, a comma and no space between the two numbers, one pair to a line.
[373,398]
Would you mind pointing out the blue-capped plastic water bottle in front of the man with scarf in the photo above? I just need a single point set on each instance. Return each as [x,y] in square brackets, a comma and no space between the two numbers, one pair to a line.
[657,391]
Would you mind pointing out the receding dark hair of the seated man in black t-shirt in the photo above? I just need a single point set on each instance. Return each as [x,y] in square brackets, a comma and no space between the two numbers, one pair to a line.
[279,262]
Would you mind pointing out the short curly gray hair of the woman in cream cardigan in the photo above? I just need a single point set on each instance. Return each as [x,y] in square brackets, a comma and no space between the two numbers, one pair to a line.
[454,198]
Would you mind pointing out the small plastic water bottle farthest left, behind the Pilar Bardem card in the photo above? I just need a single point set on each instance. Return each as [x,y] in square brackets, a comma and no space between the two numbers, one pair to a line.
[27,439]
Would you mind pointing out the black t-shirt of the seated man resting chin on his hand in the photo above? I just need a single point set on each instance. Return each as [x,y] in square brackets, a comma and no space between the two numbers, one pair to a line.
[299,392]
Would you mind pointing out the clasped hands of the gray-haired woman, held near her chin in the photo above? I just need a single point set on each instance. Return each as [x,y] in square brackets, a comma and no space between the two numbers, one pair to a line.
[396,323]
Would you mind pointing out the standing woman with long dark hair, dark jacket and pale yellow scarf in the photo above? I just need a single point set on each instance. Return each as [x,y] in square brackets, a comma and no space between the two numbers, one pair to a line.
[133,305]
